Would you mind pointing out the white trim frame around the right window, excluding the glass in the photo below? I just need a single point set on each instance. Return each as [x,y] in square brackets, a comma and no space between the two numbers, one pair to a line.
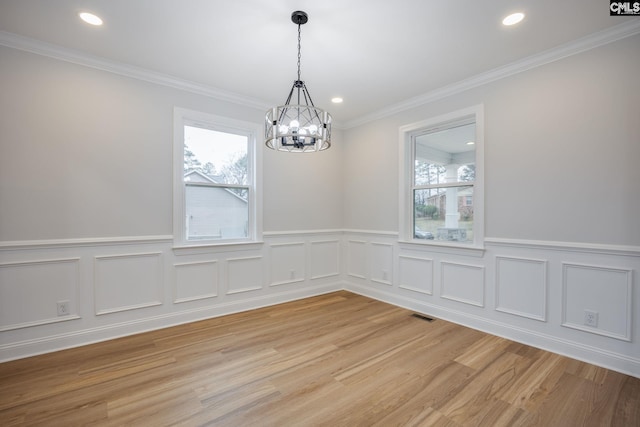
[406,177]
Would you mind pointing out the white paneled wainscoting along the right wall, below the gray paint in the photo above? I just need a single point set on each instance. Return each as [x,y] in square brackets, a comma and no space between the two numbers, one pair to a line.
[531,292]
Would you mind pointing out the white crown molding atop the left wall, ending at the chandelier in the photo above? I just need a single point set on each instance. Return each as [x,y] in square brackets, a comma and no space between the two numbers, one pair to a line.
[38,47]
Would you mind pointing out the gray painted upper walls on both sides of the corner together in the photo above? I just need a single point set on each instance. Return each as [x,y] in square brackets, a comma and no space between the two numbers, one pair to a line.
[86,153]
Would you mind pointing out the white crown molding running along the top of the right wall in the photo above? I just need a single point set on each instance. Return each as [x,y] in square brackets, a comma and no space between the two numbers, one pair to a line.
[610,35]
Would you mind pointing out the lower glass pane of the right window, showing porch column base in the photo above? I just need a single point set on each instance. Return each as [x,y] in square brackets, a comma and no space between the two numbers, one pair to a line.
[444,214]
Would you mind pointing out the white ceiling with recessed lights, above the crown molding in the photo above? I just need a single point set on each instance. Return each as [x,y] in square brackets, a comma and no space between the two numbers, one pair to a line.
[373,53]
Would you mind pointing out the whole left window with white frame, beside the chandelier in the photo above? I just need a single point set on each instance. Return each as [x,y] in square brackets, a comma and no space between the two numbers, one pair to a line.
[215,194]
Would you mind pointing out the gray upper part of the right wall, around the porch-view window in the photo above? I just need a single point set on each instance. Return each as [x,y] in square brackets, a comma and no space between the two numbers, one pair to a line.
[562,147]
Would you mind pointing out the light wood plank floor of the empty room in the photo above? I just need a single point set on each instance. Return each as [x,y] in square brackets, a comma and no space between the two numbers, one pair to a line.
[334,360]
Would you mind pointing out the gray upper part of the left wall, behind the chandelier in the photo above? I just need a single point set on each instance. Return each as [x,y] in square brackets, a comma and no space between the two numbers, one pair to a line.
[85,154]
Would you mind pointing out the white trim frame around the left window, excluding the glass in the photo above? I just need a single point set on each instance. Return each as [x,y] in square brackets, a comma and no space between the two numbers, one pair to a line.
[182,117]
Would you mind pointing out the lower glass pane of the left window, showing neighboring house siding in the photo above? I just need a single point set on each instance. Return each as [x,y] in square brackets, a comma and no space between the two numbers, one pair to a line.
[215,213]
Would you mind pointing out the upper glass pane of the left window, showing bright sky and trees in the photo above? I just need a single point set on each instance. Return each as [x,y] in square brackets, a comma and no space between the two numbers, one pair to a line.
[219,157]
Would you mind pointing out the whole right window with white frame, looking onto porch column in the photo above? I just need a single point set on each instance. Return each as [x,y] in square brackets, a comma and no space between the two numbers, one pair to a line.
[442,179]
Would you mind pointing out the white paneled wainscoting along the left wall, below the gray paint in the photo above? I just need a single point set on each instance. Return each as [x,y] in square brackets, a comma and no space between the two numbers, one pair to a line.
[122,286]
